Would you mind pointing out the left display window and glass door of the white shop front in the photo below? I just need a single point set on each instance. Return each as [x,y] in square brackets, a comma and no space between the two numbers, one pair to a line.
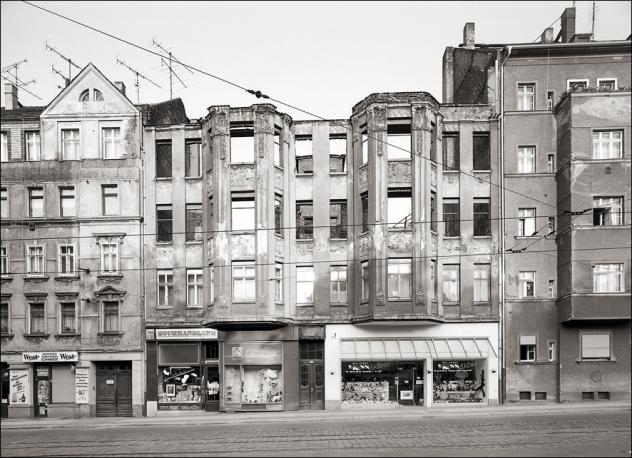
[382,383]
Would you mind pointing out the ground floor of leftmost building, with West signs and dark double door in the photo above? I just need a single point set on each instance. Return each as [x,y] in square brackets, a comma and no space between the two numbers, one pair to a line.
[71,384]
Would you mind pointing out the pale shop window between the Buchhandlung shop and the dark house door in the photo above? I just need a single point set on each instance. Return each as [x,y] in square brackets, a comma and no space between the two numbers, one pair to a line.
[253,376]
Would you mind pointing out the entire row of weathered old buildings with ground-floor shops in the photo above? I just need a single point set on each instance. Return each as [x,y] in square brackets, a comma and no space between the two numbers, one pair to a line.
[418,253]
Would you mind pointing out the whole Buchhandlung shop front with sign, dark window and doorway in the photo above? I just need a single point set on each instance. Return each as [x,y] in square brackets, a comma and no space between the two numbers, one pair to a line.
[183,370]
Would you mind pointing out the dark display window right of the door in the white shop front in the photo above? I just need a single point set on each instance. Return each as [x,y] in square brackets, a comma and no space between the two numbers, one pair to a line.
[457,382]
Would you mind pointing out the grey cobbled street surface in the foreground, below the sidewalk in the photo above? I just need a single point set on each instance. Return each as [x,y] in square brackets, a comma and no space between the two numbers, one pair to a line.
[558,434]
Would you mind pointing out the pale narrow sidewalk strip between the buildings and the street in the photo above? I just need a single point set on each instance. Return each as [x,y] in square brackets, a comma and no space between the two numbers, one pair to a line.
[189,418]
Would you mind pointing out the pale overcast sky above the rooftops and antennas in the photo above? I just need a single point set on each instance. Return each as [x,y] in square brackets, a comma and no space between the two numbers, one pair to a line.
[321,56]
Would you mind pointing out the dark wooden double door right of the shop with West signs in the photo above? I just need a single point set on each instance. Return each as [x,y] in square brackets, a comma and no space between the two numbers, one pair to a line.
[114,389]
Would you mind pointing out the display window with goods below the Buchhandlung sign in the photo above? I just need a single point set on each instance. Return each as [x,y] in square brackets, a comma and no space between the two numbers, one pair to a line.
[180,385]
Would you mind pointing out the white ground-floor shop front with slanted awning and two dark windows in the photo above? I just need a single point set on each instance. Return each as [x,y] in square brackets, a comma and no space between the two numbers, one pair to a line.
[382,365]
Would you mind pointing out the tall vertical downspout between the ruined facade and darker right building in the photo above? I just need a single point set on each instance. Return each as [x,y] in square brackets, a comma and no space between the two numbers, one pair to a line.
[501,277]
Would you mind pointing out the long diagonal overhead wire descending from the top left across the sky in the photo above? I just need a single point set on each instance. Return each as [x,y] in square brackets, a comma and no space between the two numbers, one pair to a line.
[259,94]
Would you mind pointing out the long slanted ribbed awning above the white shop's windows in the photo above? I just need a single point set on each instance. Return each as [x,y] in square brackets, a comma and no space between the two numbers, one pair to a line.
[385,349]
